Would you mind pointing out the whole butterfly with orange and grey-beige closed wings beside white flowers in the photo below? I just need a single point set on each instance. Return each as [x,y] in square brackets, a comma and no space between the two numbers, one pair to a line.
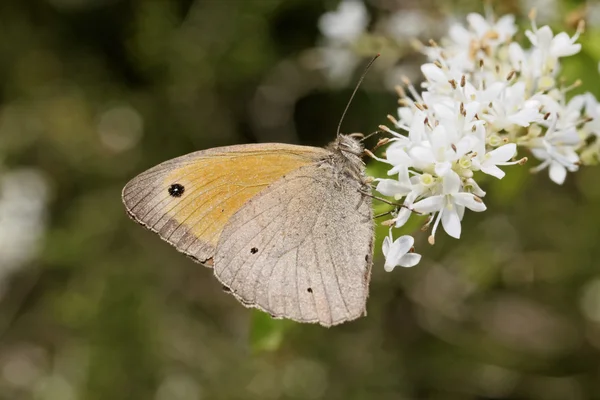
[286,228]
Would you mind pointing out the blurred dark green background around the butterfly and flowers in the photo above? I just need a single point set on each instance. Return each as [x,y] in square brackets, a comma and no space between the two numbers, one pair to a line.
[93,306]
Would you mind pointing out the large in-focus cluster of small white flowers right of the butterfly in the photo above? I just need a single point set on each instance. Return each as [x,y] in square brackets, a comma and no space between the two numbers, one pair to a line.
[484,100]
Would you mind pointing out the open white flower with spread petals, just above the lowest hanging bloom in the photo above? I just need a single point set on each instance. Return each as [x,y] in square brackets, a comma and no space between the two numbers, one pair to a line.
[449,206]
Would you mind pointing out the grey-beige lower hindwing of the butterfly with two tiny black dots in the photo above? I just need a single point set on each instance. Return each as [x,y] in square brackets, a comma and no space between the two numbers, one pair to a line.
[301,249]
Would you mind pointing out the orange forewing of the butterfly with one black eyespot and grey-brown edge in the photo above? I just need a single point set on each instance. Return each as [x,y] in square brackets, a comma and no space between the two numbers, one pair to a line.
[210,187]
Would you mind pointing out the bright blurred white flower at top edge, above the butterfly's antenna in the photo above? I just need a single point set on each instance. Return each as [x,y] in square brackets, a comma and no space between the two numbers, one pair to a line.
[345,24]
